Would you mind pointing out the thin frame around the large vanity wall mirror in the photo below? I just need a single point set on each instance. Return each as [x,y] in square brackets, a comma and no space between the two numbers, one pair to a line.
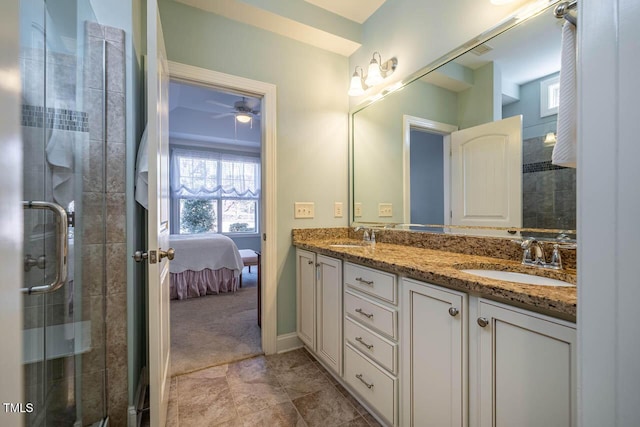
[520,16]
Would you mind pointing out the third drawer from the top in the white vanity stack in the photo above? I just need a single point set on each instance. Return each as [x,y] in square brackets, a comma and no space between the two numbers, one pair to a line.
[377,348]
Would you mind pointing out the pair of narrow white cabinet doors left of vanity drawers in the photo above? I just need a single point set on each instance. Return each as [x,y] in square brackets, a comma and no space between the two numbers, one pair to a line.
[319,306]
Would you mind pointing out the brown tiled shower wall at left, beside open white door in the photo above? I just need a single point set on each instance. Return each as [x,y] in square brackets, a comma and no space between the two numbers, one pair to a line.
[107,223]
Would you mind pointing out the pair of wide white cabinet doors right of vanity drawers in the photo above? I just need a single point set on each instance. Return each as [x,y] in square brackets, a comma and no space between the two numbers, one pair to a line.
[521,364]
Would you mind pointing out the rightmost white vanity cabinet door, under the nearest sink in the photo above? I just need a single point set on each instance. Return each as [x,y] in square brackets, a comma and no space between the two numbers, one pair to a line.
[527,368]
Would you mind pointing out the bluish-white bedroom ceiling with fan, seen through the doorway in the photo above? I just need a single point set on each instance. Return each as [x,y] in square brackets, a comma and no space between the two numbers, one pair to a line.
[205,116]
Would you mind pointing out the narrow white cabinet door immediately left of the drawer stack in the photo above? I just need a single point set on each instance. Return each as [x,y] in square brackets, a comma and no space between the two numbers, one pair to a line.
[329,312]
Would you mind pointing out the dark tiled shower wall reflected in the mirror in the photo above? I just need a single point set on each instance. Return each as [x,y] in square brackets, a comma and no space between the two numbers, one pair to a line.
[548,191]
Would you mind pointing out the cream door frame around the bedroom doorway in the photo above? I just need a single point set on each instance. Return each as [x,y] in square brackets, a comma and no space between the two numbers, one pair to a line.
[268,154]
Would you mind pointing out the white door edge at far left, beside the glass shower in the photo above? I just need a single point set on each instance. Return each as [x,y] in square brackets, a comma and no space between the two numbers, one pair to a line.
[11,238]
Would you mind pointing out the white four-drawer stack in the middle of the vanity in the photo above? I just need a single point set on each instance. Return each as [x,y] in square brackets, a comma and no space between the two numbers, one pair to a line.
[371,338]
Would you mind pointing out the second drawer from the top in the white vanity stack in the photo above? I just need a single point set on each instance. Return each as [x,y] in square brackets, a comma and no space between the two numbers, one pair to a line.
[372,314]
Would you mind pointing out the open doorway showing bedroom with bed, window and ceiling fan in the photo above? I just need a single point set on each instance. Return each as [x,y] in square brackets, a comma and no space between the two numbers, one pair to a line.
[215,141]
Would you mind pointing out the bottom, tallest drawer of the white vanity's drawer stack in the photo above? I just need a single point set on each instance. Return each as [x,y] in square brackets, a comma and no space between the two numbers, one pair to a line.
[372,384]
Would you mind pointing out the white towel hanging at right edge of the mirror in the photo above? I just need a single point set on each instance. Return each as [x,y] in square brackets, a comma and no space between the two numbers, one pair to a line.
[564,152]
